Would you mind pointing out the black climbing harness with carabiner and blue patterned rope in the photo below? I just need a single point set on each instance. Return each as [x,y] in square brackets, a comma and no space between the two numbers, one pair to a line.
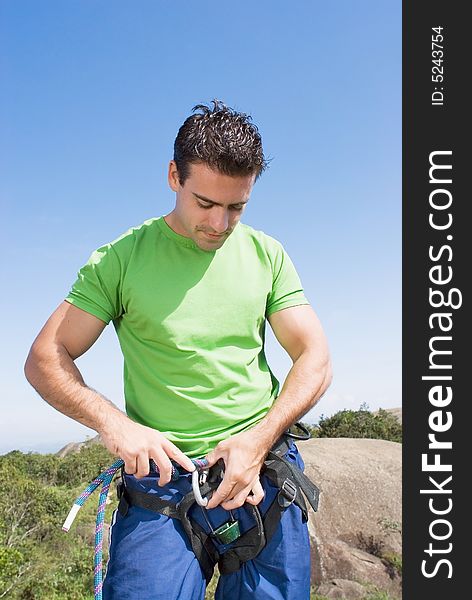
[283,474]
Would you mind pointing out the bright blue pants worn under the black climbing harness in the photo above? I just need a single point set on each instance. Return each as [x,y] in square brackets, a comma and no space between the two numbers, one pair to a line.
[151,557]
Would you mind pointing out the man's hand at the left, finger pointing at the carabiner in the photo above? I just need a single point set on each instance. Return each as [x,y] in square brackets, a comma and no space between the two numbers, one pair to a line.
[136,444]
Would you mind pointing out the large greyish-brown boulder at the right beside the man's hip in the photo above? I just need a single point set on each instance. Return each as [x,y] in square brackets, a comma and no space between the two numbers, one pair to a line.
[358,523]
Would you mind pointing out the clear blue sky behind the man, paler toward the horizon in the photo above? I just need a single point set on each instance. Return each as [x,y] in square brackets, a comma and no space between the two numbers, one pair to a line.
[92,96]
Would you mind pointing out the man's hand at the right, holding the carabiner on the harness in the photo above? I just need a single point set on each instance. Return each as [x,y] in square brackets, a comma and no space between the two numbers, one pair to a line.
[243,455]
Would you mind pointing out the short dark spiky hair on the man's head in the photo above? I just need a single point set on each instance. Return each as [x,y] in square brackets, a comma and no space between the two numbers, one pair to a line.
[222,138]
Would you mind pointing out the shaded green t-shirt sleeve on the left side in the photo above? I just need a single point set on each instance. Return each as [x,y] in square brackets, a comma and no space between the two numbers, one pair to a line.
[97,289]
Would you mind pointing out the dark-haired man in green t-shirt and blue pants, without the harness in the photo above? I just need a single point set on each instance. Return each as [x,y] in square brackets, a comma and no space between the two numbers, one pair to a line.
[189,295]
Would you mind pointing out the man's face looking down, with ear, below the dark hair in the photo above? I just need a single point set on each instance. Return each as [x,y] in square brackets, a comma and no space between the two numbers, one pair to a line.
[209,205]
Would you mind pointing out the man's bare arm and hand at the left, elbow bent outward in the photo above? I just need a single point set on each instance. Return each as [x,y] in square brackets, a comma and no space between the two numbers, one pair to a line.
[51,370]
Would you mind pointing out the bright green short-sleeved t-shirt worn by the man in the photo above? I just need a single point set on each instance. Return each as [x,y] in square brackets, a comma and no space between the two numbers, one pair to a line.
[191,326]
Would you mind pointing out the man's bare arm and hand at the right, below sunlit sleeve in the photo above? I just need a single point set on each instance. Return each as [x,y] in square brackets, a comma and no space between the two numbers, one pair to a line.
[299,332]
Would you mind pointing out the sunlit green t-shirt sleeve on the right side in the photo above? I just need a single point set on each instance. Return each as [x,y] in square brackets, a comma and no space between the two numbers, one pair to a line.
[287,289]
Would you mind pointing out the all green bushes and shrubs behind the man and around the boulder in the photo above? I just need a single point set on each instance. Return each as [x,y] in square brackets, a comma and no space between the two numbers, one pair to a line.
[40,562]
